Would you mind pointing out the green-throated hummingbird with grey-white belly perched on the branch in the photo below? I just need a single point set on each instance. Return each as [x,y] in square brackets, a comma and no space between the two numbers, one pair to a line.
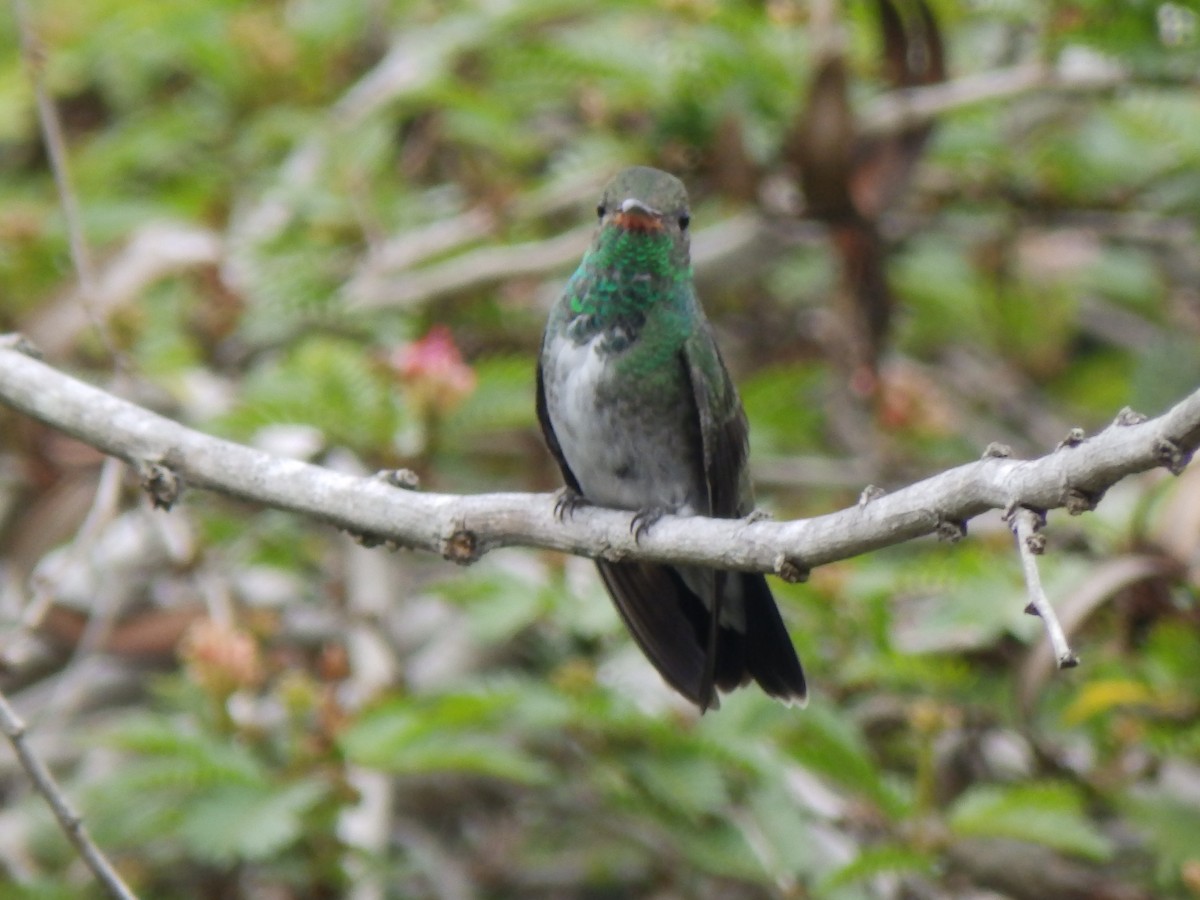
[640,413]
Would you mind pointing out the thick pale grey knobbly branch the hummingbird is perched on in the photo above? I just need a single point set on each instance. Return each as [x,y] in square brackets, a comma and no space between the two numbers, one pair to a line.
[464,527]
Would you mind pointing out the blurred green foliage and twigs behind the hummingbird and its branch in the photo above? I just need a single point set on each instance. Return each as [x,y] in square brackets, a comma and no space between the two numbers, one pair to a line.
[334,230]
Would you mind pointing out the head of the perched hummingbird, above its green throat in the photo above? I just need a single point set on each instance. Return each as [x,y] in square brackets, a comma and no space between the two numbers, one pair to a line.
[641,201]
